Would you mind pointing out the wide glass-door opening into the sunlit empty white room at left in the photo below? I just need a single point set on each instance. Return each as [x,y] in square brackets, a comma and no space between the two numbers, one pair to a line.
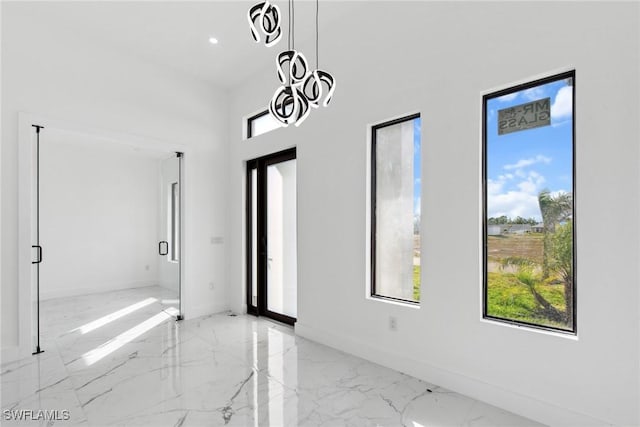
[106,238]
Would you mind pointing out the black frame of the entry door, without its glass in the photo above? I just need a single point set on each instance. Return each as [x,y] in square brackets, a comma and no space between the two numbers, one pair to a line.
[260,165]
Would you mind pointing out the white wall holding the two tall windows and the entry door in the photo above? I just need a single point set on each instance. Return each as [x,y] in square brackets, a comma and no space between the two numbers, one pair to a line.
[394,58]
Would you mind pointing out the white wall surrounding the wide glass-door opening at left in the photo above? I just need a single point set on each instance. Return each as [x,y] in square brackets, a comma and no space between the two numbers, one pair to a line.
[54,73]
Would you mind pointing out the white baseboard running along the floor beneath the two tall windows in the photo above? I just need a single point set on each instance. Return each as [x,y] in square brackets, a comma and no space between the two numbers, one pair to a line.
[526,406]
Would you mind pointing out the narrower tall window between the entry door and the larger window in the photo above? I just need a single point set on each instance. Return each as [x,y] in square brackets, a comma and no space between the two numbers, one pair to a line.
[395,209]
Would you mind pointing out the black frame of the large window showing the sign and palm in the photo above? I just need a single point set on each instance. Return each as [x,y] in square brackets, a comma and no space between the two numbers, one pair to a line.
[485,98]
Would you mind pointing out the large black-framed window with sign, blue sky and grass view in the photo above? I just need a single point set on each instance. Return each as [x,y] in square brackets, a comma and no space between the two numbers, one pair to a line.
[529,192]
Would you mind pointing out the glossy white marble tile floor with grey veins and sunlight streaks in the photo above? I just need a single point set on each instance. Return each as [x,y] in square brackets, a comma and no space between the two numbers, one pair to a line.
[138,367]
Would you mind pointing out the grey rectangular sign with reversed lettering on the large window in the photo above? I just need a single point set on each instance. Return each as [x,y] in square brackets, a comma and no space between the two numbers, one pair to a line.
[524,116]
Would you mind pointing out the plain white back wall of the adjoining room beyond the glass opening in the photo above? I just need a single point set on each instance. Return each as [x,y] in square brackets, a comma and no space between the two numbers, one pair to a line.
[98,218]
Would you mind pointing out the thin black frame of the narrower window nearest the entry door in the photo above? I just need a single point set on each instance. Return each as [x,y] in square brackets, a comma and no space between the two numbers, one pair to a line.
[373,209]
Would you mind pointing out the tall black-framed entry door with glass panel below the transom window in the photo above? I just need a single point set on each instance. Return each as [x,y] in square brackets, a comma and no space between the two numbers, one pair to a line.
[272,273]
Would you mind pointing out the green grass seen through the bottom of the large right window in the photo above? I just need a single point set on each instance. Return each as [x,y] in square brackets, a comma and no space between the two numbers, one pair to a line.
[509,299]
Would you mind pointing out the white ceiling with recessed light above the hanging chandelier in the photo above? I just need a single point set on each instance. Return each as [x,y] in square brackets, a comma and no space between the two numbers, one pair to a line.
[176,34]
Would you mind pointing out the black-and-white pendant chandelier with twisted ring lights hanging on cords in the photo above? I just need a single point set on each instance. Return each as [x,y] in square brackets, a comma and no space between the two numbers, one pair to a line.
[300,87]
